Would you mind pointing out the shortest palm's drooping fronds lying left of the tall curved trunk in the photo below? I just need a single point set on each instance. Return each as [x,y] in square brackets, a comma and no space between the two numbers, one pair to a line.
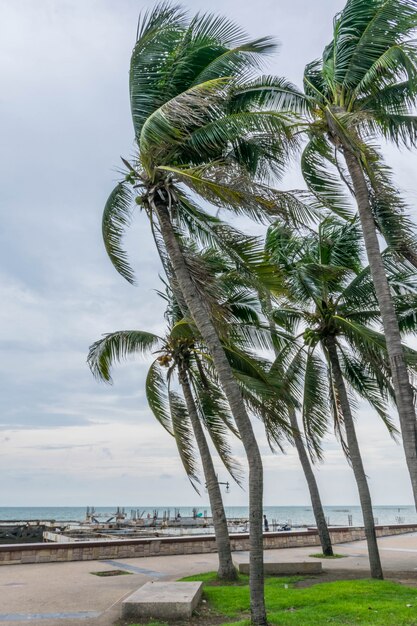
[178,349]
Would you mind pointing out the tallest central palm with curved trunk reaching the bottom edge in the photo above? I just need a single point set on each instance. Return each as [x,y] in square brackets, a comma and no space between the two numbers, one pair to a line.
[195,138]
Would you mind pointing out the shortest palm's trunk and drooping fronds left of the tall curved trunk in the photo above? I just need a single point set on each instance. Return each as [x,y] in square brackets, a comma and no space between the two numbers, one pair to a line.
[181,359]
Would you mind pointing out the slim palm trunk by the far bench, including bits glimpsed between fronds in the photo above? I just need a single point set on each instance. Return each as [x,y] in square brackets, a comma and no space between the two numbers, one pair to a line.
[323,531]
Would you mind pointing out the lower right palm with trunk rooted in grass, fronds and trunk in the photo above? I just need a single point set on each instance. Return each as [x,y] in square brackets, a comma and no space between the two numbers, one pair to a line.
[332,298]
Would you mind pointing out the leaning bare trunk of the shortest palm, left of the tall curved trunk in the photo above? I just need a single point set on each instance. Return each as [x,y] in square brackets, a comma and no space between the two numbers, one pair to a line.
[226,570]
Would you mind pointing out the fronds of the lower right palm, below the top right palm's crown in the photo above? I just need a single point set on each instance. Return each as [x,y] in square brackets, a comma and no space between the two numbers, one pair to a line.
[329,292]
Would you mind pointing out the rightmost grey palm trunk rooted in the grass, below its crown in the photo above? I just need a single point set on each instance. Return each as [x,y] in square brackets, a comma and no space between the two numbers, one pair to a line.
[356,459]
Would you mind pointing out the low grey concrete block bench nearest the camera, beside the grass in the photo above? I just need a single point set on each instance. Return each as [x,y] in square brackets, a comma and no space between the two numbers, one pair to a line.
[163,600]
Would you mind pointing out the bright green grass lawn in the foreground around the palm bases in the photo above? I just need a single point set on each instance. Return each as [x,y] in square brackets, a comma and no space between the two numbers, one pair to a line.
[349,603]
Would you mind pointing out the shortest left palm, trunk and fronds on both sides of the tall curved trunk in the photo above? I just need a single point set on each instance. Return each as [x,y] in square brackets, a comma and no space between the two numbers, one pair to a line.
[185,359]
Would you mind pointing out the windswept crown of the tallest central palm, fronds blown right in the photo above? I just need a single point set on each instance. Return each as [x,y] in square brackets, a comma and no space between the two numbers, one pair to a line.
[193,132]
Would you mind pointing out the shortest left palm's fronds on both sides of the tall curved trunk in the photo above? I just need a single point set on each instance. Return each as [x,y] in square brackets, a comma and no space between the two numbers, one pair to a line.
[235,304]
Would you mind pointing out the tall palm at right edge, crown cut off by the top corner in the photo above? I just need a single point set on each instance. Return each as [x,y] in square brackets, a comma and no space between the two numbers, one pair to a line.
[364,88]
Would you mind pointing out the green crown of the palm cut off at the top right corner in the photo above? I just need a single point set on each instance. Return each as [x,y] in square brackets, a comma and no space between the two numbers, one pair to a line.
[365,88]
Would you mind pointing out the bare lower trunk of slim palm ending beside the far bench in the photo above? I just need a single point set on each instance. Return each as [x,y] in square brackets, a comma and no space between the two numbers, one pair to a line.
[323,531]
